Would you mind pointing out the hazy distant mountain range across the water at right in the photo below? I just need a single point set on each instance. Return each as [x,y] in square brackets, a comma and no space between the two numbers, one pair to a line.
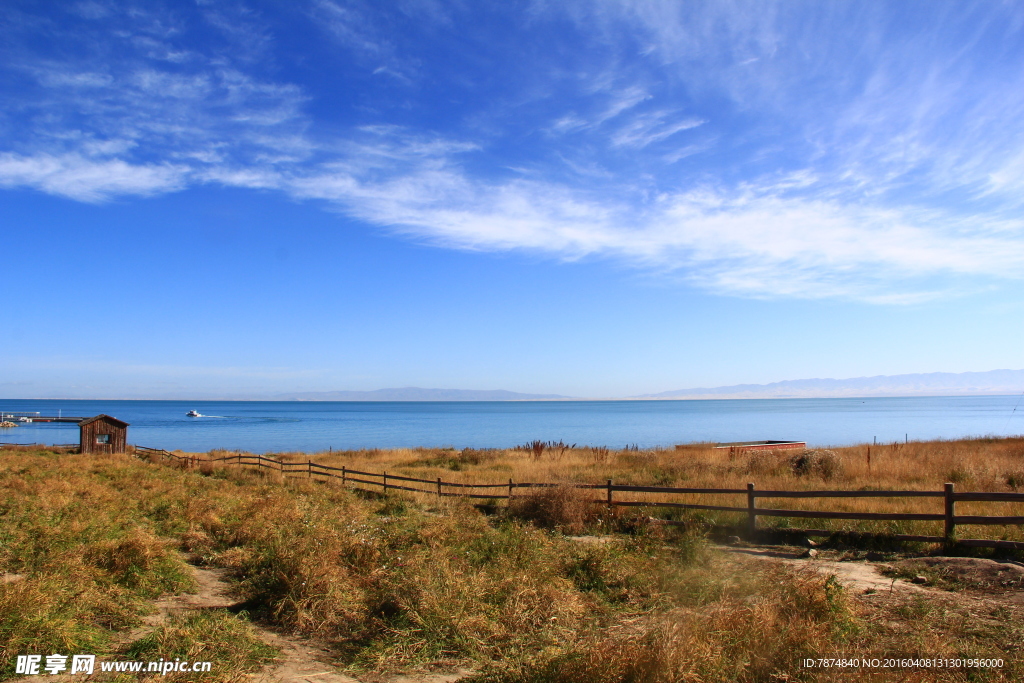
[930,385]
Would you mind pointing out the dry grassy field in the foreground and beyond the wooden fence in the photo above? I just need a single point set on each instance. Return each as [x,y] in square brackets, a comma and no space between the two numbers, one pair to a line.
[407,584]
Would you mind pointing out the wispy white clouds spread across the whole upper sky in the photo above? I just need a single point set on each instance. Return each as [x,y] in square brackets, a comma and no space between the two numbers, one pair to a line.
[795,152]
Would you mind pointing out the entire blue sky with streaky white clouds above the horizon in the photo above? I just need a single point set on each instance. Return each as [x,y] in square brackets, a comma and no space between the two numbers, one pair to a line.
[593,199]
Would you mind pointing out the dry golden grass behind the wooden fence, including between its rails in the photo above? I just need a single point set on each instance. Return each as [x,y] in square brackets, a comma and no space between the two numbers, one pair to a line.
[978,465]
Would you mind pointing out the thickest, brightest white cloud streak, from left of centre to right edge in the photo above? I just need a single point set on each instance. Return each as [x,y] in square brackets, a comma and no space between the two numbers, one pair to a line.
[761,240]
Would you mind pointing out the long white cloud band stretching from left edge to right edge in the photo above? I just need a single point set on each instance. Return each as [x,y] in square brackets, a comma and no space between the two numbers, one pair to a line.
[776,238]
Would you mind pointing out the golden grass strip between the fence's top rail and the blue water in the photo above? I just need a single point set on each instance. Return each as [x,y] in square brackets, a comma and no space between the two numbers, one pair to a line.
[990,464]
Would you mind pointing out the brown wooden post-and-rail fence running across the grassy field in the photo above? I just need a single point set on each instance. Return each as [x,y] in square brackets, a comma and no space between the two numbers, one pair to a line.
[385,482]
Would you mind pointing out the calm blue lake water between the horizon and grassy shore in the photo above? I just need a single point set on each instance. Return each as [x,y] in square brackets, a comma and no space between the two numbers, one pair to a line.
[310,426]
